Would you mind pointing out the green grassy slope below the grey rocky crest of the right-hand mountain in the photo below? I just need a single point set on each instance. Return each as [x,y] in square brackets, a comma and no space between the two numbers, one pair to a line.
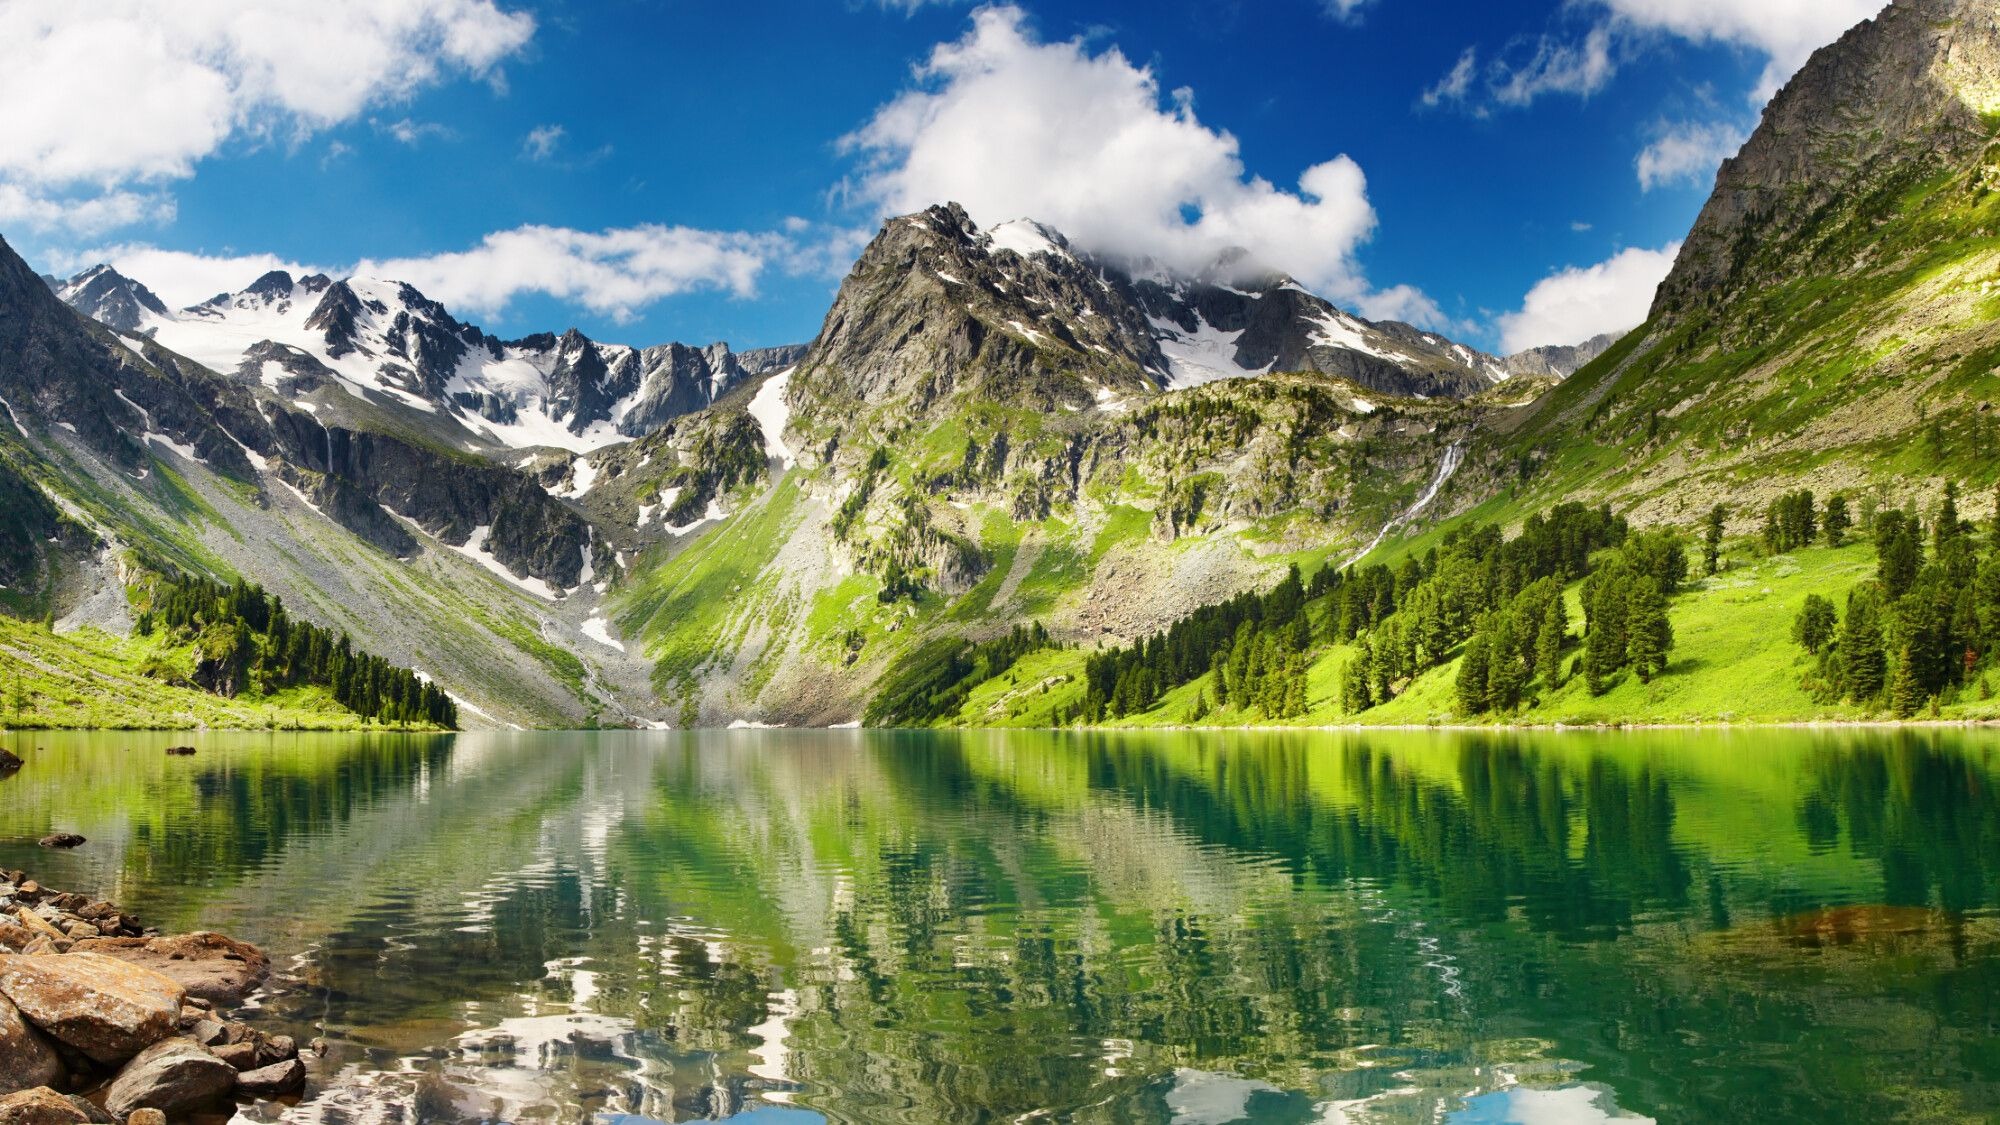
[1859,355]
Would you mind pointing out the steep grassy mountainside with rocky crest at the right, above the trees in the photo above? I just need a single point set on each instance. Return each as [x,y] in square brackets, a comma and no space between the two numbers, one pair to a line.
[1833,319]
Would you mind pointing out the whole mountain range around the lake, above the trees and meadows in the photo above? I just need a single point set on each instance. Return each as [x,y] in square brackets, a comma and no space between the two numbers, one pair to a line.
[993,429]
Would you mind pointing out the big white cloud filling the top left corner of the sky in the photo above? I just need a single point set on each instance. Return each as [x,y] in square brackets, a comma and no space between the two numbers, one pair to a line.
[117,93]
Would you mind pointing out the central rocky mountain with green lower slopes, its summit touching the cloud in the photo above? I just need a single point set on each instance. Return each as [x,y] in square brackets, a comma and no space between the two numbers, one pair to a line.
[995,427]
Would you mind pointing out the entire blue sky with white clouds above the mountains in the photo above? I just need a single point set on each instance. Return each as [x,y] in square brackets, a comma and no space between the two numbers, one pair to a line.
[665,169]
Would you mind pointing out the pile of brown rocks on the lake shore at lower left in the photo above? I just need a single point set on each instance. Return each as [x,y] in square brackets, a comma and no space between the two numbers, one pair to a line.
[109,1022]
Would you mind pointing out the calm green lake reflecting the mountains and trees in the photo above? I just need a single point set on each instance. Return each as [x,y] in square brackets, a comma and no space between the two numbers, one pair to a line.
[1185,928]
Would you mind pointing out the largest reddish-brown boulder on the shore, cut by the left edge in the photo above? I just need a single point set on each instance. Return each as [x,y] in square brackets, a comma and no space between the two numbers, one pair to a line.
[101,1006]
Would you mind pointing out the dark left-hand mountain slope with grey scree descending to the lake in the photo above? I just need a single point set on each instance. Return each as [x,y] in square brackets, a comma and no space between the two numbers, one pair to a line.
[123,459]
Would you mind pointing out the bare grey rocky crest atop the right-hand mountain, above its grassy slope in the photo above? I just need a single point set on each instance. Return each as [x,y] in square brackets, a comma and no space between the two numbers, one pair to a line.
[1893,99]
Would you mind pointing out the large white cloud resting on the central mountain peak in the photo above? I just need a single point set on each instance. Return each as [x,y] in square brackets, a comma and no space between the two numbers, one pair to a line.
[1085,141]
